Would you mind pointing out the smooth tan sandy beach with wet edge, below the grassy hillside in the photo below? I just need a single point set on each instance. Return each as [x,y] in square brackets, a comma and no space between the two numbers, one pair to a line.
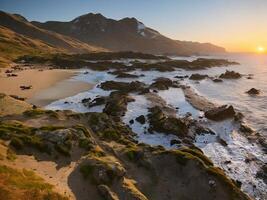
[47,85]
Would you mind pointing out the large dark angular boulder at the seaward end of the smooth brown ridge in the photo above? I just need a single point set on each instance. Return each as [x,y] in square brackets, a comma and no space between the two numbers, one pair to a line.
[220,113]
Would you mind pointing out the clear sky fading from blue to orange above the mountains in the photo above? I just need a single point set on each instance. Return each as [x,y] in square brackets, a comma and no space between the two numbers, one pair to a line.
[237,25]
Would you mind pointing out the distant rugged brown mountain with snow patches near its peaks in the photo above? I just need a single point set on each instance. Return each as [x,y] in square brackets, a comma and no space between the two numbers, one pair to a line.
[127,34]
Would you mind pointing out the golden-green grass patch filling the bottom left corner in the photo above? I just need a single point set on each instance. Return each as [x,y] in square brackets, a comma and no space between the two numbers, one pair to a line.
[25,184]
